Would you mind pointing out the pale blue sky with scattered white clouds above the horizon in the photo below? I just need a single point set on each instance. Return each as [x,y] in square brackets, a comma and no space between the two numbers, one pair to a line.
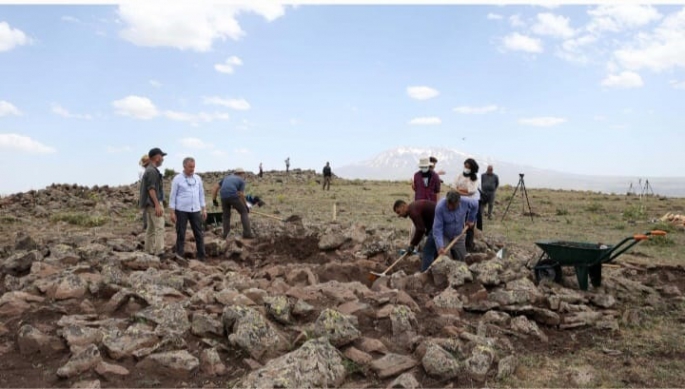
[86,90]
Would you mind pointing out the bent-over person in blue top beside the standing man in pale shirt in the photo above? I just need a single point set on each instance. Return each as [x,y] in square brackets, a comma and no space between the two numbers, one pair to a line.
[232,190]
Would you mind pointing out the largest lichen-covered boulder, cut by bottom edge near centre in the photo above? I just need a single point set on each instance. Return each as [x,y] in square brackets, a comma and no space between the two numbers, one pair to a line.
[316,364]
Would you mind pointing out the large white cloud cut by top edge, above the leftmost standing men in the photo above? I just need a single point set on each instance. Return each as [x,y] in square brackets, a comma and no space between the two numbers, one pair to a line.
[188,25]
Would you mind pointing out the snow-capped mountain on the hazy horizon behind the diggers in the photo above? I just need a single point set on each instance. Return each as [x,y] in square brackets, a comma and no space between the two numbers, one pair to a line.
[401,163]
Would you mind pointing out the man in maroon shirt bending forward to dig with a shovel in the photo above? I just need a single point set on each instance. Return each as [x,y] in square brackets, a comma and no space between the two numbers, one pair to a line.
[421,213]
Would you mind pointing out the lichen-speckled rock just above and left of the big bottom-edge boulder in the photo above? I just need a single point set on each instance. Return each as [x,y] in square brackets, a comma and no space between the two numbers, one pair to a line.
[248,330]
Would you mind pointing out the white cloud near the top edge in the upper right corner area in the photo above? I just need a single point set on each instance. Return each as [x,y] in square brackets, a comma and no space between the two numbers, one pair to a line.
[616,18]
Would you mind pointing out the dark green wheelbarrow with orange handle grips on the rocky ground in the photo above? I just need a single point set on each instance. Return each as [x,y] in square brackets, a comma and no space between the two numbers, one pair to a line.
[586,258]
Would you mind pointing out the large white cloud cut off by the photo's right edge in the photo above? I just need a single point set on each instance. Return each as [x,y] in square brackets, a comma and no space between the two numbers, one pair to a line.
[663,49]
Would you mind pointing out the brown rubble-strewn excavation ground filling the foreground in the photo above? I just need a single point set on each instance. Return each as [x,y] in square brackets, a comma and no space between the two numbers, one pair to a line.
[83,306]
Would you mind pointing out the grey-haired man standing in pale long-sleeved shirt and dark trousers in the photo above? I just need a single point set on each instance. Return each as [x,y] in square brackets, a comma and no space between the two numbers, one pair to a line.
[187,204]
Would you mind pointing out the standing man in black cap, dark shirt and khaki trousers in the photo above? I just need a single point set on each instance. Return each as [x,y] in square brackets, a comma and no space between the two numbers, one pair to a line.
[151,200]
